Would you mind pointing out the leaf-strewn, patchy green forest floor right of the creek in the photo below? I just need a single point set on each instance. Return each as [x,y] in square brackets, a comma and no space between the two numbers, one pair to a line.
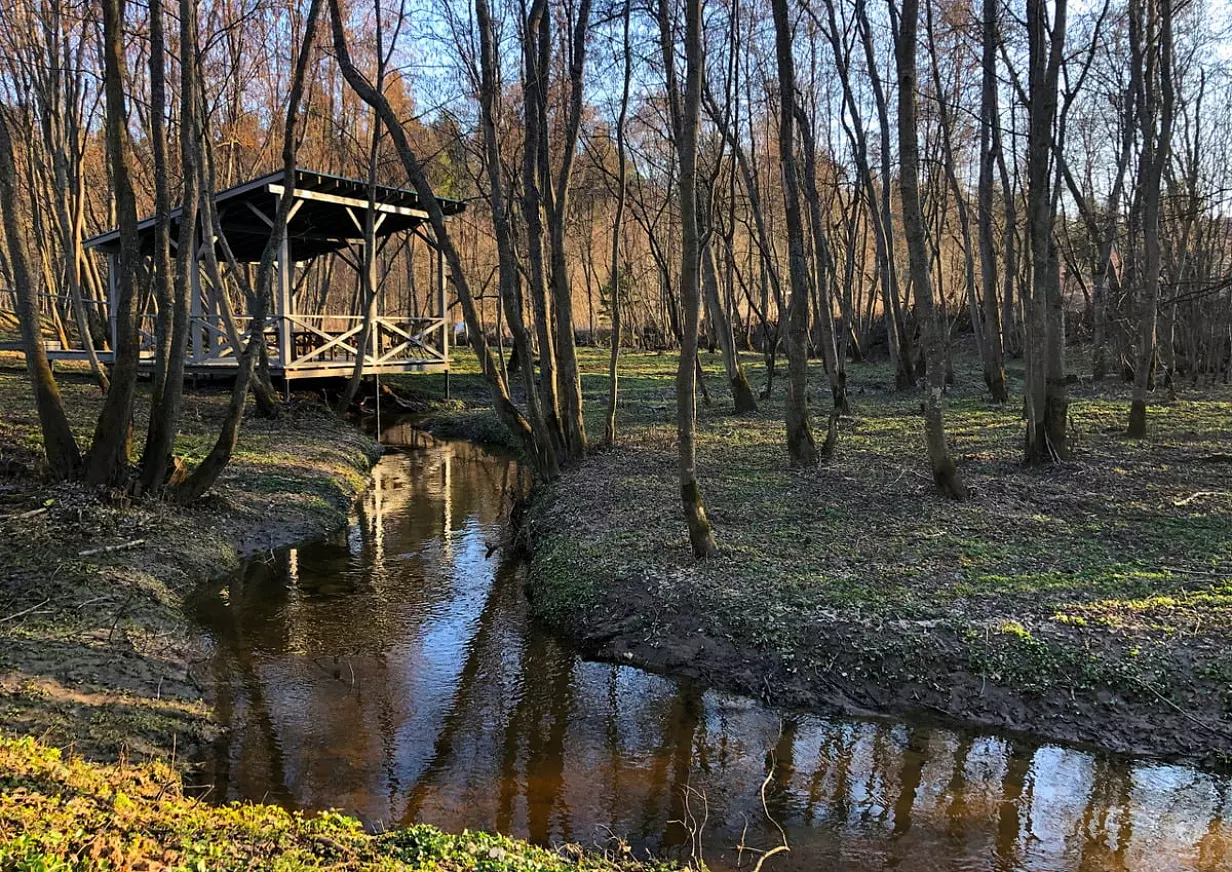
[1087,602]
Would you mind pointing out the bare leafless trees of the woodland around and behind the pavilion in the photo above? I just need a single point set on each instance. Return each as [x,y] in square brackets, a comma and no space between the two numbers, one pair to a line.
[821,179]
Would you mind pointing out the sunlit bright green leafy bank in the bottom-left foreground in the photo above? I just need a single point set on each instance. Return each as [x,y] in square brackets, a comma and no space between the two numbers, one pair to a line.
[60,813]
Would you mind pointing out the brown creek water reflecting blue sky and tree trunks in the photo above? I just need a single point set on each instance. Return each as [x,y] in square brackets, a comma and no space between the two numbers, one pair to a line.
[394,673]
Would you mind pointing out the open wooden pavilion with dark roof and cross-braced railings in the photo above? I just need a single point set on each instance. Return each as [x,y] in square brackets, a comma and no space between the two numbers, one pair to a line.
[328,219]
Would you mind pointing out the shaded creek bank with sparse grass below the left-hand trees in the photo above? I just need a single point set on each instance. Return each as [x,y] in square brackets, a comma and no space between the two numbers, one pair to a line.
[95,650]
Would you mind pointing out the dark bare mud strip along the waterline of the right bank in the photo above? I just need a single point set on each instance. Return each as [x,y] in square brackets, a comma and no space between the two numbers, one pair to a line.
[941,690]
